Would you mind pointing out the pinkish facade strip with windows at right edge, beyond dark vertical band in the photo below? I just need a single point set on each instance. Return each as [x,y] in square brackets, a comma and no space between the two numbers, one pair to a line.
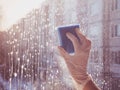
[114,42]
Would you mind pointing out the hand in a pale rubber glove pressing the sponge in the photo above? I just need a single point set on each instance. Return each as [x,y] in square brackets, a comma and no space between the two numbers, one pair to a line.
[77,63]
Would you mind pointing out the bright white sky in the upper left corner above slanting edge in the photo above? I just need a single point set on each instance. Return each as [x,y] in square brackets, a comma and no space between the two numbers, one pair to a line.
[13,10]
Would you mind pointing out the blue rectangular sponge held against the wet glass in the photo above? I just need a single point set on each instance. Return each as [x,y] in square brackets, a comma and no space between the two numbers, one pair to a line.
[64,41]
